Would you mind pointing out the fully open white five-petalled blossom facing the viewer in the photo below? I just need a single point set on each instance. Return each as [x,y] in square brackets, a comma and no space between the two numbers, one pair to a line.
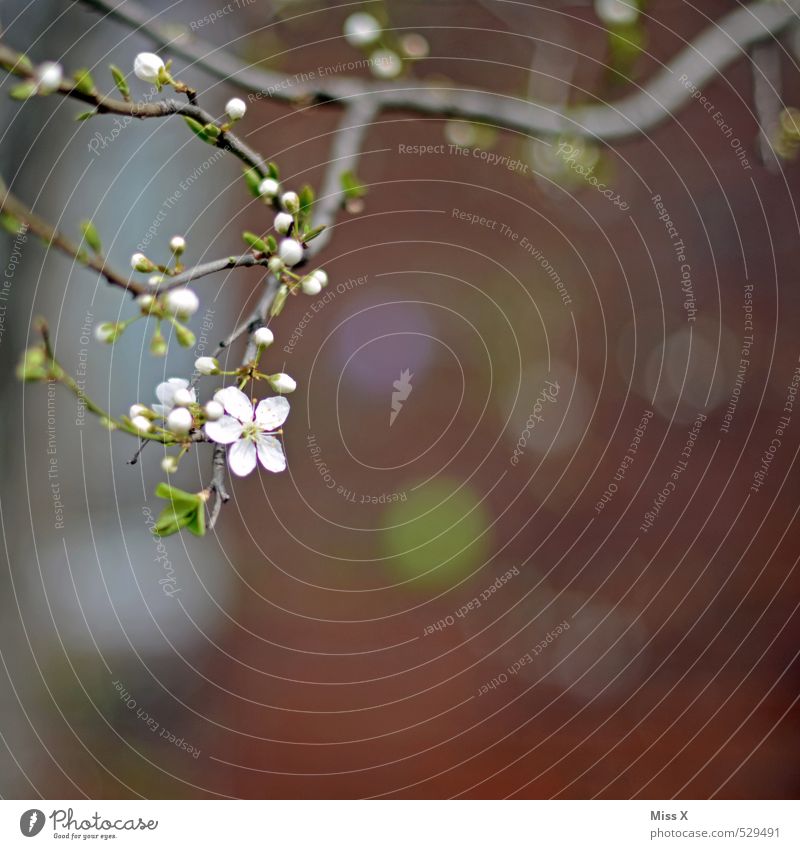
[247,431]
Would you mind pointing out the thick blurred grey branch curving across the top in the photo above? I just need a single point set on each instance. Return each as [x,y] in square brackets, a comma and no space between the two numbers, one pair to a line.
[708,55]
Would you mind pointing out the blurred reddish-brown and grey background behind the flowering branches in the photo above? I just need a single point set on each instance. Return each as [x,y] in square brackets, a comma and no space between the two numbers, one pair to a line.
[554,571]
